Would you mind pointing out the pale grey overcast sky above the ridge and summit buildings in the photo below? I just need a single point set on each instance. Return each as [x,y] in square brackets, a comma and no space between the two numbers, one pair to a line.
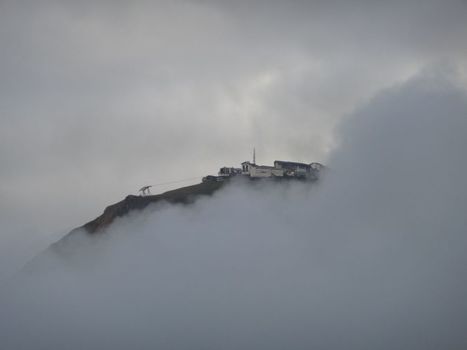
[98,98]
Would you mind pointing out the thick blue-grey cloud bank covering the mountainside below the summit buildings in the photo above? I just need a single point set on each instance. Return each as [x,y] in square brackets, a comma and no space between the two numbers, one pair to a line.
[372,257]
